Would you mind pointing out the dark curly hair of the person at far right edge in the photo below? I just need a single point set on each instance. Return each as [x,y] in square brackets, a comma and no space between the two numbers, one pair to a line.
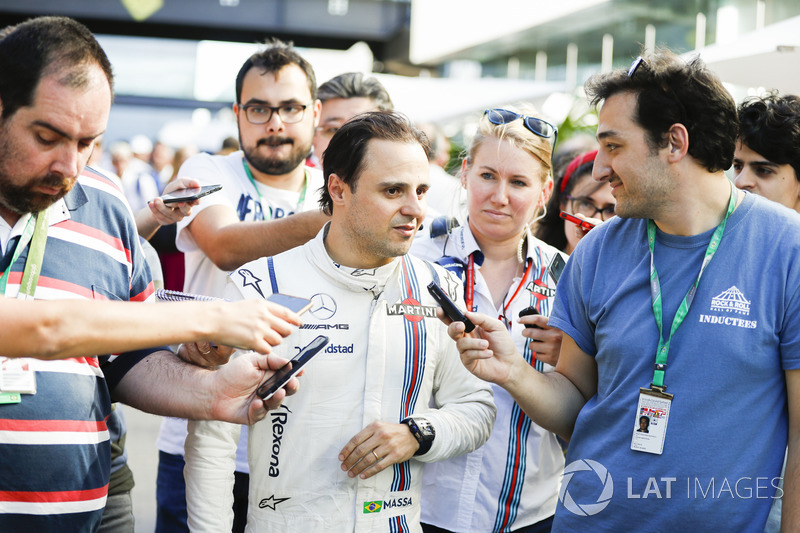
[770,126]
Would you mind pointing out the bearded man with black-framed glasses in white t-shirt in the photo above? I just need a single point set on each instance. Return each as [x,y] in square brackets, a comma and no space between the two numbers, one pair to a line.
[262,184]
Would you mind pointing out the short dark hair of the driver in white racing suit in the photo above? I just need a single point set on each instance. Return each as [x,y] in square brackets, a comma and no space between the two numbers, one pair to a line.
[345,154]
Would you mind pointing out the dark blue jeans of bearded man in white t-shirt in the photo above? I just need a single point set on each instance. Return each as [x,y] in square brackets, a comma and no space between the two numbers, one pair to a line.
[171,516]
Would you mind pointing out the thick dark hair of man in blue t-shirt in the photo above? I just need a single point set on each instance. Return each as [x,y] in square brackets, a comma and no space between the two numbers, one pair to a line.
[672,91]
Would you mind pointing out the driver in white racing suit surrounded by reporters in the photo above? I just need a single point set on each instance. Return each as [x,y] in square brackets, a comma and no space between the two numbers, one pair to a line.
[388,387]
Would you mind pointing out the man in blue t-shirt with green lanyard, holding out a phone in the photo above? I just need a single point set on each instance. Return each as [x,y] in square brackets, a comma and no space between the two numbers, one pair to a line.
[682,308]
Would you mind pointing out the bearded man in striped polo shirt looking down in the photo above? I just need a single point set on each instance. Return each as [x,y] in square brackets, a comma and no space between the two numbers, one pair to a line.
[66,233]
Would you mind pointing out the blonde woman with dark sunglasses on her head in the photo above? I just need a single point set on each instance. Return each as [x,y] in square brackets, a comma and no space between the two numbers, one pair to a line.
[511,483]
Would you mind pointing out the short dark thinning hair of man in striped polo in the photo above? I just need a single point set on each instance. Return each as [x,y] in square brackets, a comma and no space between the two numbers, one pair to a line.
[42,46]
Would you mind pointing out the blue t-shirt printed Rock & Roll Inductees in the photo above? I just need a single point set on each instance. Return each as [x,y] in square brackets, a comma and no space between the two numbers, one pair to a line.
[727,428]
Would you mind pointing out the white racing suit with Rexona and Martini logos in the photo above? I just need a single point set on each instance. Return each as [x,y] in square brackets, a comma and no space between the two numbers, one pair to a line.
[389,358]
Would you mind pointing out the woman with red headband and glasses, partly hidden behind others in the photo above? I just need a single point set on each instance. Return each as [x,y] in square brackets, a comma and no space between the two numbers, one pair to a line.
[577,194]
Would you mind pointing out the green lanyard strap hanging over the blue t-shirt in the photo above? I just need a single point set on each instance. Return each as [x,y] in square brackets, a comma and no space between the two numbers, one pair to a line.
[683,310]
